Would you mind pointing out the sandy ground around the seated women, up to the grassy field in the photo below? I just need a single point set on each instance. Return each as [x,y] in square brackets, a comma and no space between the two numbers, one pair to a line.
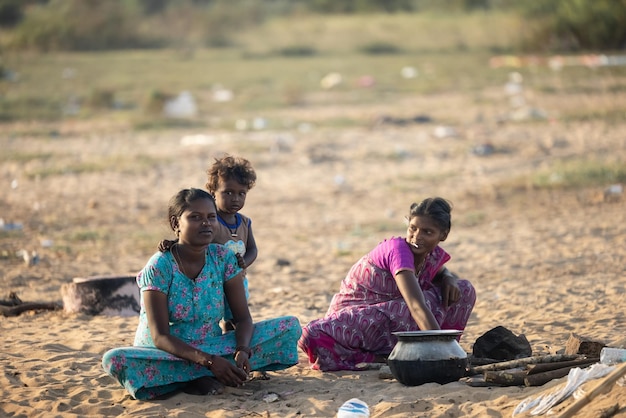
[545,263]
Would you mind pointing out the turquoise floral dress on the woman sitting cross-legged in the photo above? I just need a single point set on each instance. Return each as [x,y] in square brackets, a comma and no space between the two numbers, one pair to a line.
[195,309]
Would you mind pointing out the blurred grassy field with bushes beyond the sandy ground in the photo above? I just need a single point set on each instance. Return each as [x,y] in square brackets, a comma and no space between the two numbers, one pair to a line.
[122,60]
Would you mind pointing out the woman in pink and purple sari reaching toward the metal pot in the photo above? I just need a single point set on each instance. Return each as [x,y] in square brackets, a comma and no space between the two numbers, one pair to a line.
[401,285]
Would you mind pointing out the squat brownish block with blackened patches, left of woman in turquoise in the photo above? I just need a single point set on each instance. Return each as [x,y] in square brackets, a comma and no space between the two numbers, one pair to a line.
[102,295]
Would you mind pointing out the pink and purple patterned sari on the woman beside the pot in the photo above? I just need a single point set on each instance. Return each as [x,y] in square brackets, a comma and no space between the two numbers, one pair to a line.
[369,308]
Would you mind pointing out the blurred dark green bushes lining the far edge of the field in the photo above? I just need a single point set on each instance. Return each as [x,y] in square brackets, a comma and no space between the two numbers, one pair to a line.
[78,25]
